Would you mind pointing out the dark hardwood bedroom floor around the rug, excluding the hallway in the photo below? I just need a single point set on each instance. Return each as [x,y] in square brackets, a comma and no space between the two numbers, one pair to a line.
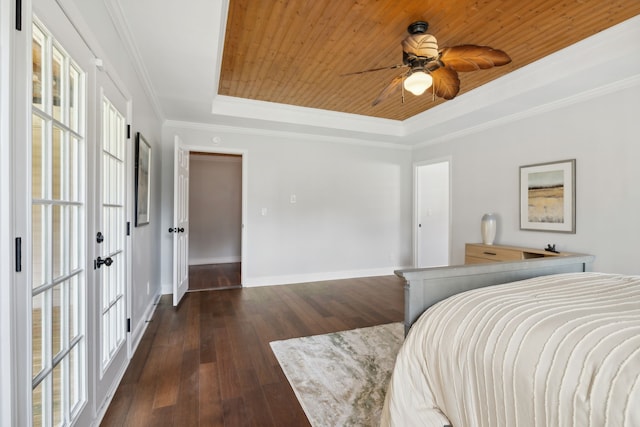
[209,363]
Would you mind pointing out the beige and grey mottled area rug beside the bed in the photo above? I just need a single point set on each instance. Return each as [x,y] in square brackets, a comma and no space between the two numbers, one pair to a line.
[341,378]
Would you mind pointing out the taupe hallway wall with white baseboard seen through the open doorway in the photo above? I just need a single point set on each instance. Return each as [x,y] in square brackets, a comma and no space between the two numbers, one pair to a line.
[215,208]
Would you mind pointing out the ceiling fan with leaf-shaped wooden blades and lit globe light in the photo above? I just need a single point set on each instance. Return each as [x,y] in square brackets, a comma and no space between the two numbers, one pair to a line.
[431,67]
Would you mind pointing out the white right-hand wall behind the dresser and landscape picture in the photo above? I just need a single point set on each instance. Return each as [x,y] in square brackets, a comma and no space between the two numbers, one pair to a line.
[601,133]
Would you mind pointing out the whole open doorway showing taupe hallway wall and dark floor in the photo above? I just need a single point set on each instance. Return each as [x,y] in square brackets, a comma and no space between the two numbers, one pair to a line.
[215,221]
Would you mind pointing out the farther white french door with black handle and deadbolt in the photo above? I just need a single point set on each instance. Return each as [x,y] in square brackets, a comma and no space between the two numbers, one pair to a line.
[111,262]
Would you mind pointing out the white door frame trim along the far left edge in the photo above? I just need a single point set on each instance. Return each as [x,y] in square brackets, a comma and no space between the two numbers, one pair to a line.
[15,111]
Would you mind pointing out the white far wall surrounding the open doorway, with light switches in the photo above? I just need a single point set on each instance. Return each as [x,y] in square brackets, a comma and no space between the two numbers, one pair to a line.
[352,213]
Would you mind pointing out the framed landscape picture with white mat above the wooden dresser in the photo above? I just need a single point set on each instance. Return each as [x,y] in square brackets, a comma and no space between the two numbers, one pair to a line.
[548,196]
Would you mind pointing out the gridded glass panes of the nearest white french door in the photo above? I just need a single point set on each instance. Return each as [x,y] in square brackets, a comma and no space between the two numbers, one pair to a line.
[58,339]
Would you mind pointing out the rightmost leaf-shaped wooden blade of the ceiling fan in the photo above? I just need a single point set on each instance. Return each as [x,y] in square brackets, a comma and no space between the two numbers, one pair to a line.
[471,57]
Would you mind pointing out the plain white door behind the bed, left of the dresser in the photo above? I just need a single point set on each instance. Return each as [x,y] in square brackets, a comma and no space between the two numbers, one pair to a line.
[432,214]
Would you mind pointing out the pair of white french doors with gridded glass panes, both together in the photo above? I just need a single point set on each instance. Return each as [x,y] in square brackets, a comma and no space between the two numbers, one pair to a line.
[72,202]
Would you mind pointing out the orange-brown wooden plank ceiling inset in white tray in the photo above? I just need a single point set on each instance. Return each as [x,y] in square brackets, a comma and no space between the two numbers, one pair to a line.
[294,51]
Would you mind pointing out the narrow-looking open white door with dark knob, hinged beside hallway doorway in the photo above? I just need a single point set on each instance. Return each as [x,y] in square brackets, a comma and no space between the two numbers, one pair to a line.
[180,227]
